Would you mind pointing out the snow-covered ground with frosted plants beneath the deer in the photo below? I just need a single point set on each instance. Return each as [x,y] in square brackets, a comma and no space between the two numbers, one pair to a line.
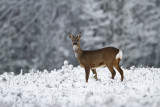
[66,87]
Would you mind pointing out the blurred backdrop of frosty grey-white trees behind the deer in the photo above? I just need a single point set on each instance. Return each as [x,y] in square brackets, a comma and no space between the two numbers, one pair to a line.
[34,33]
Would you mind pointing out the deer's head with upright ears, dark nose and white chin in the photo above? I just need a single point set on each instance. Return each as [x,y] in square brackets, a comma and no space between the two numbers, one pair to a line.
[75,41]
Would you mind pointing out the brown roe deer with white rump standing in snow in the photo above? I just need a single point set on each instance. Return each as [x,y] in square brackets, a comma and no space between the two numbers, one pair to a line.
[105,57]
